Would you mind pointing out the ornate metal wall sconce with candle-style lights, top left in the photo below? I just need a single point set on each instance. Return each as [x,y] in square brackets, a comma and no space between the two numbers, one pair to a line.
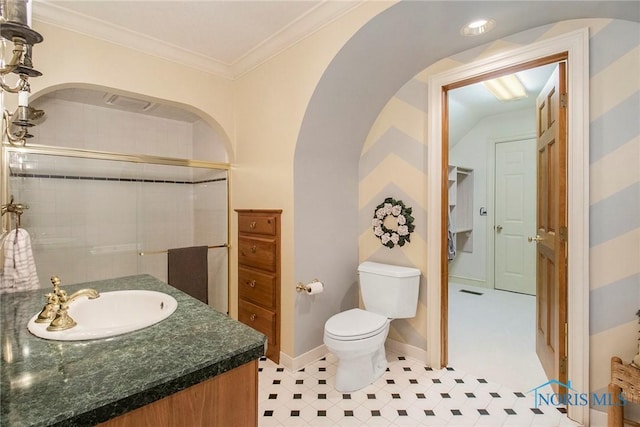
[15,30]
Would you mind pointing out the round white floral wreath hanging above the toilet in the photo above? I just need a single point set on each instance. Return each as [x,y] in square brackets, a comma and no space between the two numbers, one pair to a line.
[393,223]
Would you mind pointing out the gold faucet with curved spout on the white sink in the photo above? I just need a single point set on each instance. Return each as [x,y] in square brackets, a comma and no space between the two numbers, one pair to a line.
[56,309]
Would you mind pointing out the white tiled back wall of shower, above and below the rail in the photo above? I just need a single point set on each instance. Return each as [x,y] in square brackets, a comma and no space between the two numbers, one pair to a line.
[131,215]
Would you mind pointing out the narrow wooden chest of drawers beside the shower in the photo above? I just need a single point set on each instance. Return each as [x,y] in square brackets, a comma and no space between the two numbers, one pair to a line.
[259,274]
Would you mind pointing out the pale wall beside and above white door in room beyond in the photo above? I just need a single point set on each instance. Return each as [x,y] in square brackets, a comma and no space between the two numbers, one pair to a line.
[472,151]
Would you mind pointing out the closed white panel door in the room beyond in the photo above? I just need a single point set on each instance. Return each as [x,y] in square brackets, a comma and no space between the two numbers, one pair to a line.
[515,216]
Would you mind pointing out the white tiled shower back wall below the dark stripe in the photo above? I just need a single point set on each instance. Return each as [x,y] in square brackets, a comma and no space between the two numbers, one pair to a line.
[90,230]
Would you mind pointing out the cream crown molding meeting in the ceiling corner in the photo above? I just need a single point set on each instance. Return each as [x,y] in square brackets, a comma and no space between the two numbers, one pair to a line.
[315,19]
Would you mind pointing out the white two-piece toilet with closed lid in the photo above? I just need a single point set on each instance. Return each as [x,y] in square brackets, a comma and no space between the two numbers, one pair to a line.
[356,337]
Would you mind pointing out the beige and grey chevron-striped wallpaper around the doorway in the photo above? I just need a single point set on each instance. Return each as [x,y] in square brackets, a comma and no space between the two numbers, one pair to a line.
[393,164]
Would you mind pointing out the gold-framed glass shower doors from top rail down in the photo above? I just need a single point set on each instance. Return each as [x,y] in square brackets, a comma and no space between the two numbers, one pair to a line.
[93,216]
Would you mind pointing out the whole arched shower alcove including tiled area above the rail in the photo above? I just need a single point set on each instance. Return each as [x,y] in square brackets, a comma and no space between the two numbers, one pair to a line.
[110,189]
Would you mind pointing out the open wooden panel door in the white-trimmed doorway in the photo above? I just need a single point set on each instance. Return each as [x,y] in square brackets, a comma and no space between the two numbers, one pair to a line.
[551,238]
